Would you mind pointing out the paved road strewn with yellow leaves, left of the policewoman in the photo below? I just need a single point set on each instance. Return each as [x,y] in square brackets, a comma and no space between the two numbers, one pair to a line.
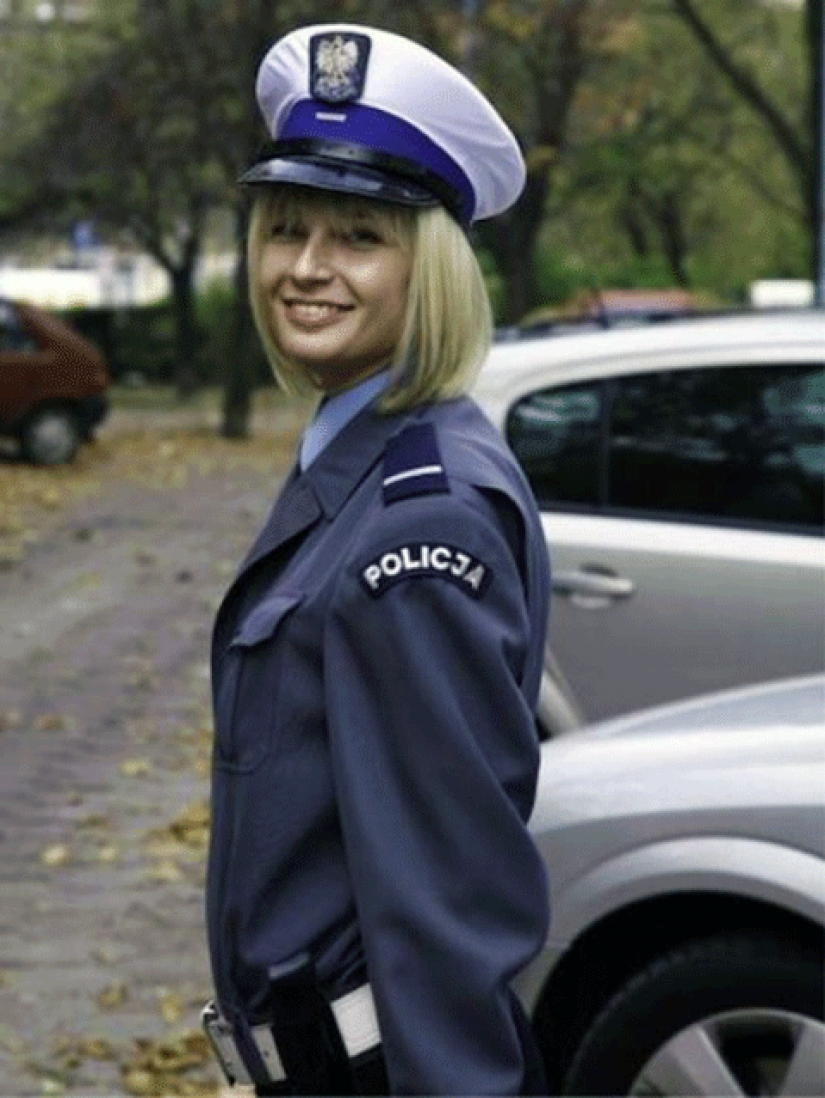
[105,742]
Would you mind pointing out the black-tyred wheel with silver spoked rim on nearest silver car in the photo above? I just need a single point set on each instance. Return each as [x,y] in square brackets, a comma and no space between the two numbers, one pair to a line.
[730,1015]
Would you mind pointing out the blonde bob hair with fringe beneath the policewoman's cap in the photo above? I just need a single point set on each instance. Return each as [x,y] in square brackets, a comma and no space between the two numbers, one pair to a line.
[449,324]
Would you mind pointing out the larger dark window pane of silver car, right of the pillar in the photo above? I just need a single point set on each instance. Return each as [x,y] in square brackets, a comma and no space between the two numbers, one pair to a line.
[737,443]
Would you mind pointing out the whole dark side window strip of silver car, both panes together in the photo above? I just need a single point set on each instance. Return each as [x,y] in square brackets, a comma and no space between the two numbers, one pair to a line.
[739,444]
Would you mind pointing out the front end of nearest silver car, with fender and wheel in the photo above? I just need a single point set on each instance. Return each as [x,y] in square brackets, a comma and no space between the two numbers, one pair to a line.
[686,853]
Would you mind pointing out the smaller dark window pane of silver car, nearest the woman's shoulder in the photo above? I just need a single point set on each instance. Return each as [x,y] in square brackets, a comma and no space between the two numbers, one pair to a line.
[556,438]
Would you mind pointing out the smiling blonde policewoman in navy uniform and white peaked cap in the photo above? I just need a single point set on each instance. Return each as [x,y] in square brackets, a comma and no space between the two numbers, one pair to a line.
[373,889]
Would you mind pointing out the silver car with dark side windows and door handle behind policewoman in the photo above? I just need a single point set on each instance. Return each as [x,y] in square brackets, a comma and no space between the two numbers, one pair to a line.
[681,472]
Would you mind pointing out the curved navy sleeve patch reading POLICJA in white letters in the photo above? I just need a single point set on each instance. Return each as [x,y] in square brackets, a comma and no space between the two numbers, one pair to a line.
[419,559]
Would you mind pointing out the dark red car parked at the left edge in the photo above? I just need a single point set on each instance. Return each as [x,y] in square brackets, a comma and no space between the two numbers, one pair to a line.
[53,384]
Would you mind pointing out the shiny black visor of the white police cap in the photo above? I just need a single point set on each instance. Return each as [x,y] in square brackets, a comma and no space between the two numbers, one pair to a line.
[342,170]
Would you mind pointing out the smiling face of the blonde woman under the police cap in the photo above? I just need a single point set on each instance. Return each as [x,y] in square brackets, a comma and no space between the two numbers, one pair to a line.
[335,282]
